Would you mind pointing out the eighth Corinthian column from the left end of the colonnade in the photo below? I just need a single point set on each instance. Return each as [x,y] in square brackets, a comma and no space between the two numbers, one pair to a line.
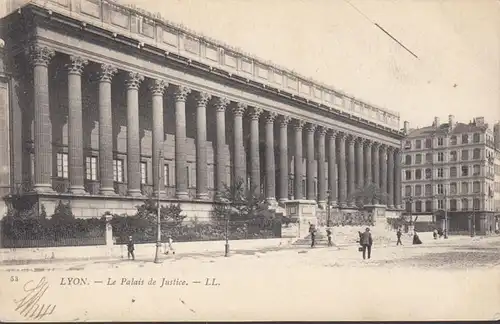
[220,161]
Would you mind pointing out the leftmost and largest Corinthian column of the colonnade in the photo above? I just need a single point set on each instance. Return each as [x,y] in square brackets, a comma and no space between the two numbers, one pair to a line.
[40,57]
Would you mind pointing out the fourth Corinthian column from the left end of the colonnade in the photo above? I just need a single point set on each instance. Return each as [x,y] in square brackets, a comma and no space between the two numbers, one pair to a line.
[133,143]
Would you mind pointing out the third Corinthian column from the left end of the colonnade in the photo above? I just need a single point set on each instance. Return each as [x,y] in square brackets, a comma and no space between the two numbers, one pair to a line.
[106,130]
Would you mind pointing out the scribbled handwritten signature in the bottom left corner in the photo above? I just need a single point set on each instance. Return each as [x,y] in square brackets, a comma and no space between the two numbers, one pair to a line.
[29,305]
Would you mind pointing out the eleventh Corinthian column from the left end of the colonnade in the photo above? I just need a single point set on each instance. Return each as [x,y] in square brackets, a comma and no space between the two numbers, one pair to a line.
[270,166]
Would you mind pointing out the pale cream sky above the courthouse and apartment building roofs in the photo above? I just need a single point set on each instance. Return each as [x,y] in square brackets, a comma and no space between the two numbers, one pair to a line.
[457,43]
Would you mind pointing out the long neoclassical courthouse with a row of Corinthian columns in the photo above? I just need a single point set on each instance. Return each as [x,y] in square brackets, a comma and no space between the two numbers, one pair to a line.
[103,105]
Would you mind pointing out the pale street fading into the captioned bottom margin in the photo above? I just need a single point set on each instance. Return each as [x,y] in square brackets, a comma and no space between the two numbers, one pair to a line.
[453,280]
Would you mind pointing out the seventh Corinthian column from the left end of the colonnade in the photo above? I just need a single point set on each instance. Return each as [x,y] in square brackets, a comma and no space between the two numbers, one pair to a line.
[201,145]
